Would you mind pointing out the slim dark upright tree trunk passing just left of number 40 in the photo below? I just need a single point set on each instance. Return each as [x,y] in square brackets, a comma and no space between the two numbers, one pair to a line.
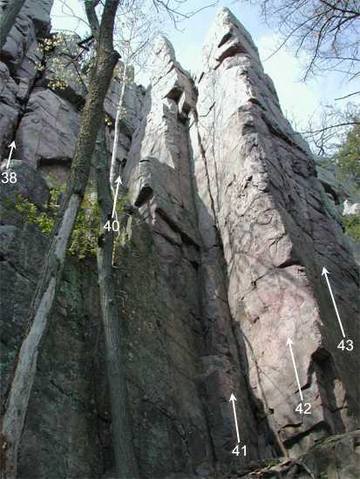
[115,359]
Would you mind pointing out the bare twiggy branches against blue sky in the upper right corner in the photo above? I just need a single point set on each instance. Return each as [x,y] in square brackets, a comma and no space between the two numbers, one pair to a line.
[327,30]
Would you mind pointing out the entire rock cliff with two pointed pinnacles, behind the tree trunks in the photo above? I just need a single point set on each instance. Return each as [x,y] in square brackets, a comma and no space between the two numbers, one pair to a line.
[220,266]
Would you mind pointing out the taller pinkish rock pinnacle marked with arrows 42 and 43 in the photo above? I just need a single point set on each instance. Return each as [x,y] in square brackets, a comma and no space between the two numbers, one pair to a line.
[256,181]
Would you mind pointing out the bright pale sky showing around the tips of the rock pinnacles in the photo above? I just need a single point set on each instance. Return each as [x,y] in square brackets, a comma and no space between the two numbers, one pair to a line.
[300,101]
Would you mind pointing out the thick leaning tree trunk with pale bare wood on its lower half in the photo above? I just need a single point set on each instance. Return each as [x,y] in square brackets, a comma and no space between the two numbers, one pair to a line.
[17,401]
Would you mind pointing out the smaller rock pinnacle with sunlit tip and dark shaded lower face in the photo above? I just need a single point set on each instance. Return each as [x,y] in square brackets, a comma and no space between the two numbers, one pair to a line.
[170,410]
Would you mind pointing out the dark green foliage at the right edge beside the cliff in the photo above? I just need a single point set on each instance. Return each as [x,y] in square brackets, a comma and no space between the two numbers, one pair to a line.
[348,156]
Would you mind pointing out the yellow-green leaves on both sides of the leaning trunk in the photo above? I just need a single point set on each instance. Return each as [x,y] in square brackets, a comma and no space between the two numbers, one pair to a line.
[83,242]
